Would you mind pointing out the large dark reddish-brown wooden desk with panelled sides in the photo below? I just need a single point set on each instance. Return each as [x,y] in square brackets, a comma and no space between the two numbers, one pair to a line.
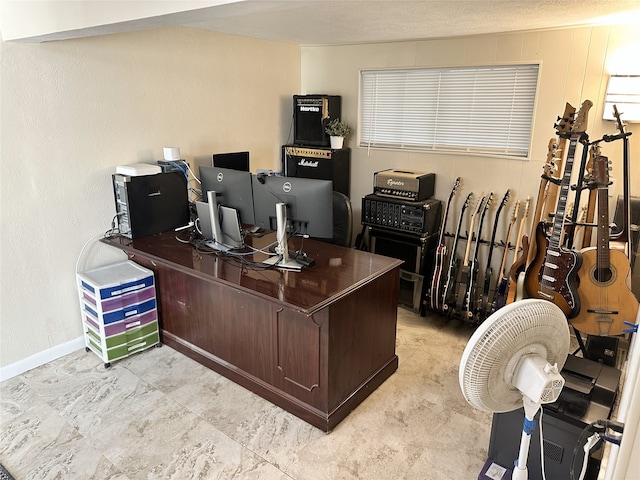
[315,342]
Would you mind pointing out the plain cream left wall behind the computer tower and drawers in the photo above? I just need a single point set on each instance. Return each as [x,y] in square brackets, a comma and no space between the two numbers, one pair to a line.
[73,110]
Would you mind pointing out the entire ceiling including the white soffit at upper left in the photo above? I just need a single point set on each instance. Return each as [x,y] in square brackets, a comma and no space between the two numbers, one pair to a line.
[308,22]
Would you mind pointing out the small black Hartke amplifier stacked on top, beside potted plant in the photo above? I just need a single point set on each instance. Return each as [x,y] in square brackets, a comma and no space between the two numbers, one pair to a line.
[310,115]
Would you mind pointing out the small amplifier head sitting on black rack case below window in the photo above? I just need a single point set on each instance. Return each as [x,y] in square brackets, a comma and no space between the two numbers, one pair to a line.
[412,186]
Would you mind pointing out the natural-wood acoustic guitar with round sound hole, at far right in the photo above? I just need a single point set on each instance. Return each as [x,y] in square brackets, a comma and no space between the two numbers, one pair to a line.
[605,295]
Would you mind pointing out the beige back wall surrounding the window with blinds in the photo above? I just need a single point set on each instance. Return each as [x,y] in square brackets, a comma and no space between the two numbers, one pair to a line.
[574,66]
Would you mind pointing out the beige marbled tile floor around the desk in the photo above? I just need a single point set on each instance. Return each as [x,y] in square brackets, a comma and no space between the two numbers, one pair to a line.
[160,415]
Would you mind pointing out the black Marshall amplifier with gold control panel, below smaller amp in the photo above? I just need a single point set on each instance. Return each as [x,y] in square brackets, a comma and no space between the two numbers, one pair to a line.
[319,163]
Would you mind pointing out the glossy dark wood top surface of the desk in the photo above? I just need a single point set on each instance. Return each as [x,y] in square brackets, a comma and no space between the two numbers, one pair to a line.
[337,270]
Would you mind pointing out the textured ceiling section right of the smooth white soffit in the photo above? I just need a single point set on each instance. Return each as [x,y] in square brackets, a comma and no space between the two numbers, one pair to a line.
[326,22]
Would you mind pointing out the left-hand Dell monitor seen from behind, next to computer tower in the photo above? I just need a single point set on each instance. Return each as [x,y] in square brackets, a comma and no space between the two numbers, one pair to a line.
[232,187]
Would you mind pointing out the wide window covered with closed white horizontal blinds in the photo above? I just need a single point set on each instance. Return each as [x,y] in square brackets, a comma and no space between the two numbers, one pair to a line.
[479,110]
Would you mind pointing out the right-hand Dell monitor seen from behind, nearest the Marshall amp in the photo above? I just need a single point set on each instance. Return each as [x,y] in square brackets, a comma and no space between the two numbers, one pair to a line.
[309,204]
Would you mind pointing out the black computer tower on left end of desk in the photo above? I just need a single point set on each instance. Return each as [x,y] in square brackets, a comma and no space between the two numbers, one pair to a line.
[150,204]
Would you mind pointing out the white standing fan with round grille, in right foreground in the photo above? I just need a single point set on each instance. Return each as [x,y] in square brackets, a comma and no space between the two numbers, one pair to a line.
[513,359]
